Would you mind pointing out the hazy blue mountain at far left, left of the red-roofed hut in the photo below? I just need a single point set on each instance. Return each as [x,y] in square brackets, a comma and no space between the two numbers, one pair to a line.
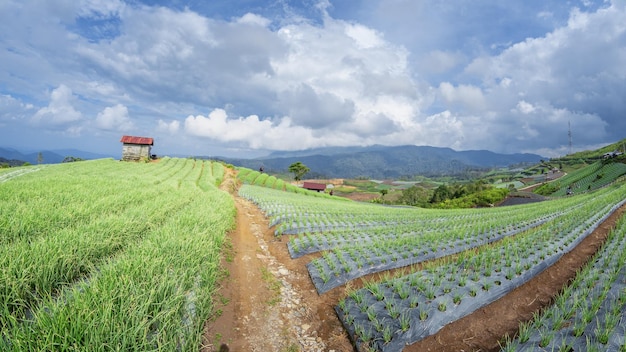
[47,156]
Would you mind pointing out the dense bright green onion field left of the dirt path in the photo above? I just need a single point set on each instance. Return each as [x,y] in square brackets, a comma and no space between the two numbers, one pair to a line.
[110,256]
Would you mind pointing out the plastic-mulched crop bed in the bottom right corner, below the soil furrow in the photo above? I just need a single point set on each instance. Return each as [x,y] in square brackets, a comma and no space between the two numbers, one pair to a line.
[590,313]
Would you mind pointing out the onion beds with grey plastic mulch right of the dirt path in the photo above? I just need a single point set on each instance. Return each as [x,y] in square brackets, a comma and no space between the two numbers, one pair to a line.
[473,257]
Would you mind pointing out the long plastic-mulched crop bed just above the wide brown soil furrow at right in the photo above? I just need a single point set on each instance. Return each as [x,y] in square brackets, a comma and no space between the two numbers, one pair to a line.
[390,314]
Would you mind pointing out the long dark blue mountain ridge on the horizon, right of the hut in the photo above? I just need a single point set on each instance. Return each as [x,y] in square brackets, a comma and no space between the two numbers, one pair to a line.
[383,162]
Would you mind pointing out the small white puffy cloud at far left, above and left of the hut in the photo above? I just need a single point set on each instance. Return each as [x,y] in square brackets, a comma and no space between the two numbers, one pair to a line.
[60,111]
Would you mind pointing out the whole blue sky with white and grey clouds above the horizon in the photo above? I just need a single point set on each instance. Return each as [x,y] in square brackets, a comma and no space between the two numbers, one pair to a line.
[244,77]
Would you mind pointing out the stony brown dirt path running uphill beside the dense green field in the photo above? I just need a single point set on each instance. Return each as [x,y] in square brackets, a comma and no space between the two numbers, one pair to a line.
[268,302]
